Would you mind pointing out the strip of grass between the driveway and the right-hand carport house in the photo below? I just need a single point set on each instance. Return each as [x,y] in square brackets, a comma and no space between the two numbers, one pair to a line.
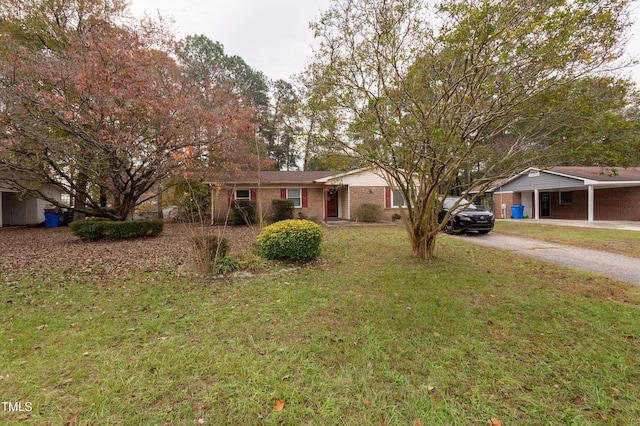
[614,241]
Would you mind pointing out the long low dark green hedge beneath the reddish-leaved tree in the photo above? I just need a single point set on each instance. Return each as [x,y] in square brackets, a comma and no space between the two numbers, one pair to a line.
[97,229]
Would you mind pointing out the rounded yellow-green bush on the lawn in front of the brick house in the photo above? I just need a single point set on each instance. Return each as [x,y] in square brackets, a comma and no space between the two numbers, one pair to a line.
[292,239]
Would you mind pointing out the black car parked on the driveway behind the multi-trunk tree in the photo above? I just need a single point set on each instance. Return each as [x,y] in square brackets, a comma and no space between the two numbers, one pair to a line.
[466,217]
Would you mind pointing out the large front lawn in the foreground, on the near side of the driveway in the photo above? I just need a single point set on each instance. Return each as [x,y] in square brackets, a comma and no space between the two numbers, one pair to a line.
[366,335]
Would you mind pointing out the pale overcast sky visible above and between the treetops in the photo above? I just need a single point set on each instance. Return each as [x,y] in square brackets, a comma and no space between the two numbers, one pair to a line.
[272,36]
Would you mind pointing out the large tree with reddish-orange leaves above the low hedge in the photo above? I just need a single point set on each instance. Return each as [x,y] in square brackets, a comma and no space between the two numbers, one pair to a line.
[93,103]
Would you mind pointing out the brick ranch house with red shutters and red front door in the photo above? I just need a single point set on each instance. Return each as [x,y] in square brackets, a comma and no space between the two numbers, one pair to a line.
[317,195]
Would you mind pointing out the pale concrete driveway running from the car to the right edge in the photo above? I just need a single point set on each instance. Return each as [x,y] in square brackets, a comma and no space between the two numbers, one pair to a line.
[608,264]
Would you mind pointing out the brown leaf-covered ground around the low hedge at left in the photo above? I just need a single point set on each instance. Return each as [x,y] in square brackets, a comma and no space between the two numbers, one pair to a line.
[34,251]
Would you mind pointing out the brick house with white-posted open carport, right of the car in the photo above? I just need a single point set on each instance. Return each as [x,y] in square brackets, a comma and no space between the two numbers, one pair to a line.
[578,193]
